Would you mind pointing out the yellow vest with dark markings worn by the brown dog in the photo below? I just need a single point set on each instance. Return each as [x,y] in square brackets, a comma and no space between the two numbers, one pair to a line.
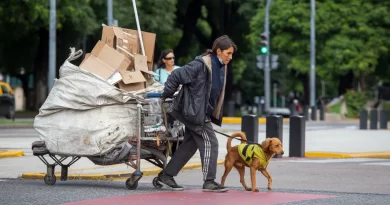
[248,151]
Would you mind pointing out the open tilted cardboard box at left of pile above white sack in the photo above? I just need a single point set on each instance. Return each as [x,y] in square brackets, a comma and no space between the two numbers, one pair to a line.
[104,61]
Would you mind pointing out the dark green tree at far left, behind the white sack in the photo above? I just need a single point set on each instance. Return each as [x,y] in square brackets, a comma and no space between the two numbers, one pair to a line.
[24,30]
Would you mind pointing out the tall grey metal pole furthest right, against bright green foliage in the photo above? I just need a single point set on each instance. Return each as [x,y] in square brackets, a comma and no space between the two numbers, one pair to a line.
[312,55]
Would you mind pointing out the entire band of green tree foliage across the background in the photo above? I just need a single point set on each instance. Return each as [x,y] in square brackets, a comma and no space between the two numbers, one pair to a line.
[351,36]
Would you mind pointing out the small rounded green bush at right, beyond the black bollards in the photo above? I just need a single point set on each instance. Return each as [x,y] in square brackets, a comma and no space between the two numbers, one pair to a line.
[355,101]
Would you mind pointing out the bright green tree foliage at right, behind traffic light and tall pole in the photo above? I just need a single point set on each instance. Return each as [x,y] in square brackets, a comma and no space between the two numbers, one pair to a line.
[350,36]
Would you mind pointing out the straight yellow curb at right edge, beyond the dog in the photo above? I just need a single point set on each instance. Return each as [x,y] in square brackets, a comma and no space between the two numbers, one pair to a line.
[379,155]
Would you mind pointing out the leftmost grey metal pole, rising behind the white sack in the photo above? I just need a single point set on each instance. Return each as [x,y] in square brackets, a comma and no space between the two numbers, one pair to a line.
[52,45]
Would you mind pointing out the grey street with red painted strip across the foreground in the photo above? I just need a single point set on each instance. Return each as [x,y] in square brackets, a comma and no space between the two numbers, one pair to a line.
[295,181]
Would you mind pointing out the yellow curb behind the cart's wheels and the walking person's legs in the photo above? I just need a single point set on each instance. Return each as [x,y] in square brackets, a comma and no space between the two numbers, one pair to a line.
[112,175]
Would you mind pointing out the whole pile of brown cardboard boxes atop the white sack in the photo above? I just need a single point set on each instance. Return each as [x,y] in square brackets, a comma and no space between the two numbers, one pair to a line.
[117,58]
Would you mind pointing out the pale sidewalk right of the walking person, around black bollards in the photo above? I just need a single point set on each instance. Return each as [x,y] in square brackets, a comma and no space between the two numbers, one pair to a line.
[334,143]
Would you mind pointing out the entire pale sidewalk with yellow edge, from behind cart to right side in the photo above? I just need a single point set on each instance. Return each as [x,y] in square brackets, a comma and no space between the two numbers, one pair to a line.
[335,143]
